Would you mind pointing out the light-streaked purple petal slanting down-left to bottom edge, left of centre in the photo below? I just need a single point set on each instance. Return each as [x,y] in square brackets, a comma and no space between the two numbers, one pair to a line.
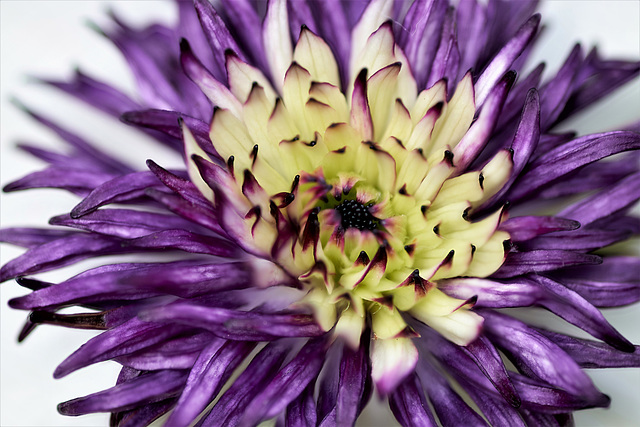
[210,372]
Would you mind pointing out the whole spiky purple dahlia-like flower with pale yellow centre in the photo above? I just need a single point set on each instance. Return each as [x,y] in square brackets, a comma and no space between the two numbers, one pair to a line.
[360,198]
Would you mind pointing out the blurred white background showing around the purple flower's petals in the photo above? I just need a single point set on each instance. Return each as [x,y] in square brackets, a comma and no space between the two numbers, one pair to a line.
[48,38]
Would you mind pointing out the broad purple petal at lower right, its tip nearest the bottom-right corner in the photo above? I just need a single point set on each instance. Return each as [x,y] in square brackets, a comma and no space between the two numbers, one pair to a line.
[537,357]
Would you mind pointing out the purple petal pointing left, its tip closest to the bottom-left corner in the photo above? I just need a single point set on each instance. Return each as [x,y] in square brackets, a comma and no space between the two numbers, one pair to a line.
[145,389]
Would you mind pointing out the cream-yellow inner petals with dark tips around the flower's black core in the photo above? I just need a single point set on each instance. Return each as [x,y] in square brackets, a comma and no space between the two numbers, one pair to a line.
[363,195]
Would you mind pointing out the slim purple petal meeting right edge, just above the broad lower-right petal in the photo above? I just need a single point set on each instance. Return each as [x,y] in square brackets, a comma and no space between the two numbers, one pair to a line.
[592,354]
